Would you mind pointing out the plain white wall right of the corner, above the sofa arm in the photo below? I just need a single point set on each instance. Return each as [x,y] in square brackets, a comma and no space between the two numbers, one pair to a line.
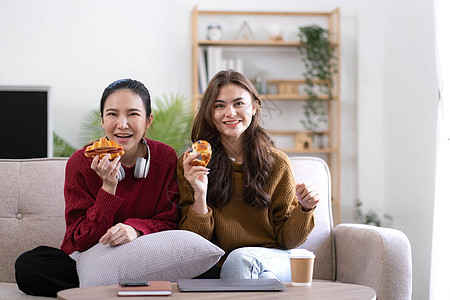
[397,104]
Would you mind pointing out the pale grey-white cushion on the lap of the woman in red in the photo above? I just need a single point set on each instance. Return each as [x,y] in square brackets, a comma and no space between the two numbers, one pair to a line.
[167,255]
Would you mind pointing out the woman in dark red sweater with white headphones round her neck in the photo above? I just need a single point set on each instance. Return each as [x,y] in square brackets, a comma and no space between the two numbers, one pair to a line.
[100,208]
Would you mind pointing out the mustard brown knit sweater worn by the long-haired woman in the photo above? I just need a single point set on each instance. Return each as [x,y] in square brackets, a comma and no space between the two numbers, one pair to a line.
[282,225]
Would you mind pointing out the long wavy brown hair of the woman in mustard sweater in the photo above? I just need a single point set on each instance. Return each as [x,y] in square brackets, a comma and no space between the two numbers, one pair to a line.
[257,164]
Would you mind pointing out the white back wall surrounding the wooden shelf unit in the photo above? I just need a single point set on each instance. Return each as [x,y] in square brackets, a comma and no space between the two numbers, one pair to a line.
[79,47]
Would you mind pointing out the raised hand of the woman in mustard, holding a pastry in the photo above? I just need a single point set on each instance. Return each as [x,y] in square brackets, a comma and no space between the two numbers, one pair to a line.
[197,176]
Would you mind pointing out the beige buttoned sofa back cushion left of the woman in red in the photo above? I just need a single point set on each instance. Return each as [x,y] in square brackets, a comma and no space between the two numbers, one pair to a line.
[32,208]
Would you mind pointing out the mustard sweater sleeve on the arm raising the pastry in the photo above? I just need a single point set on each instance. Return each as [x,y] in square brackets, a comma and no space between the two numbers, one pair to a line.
[190,220]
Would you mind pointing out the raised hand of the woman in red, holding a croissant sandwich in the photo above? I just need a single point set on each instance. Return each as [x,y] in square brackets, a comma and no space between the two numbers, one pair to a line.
[107,170]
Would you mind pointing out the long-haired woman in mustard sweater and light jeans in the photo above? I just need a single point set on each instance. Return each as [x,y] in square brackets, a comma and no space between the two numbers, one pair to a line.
[246,200]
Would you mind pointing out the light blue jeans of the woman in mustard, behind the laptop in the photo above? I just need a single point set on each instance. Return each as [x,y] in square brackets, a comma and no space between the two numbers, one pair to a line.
[257,262]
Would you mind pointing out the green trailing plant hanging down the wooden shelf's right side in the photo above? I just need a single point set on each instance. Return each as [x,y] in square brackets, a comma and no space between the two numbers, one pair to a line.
[319,58]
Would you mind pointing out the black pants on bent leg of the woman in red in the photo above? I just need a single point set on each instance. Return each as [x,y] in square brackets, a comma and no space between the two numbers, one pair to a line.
[44,271]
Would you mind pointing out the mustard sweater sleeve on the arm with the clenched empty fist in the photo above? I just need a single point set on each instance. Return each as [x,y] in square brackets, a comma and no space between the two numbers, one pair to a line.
[292,225]
